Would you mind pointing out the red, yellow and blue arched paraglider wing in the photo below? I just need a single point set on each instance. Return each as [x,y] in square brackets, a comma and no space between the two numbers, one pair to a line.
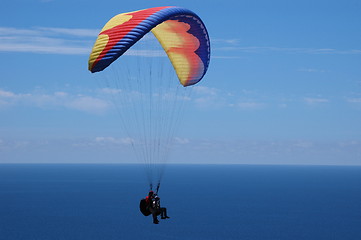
[180,31]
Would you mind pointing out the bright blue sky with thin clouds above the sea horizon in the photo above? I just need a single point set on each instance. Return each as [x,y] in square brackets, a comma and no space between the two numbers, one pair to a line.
[283,86]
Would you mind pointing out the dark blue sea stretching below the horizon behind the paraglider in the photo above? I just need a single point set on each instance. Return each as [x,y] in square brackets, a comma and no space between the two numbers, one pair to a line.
[204,201]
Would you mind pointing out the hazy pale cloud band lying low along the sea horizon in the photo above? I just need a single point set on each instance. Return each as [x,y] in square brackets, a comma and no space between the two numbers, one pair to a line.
[220,151]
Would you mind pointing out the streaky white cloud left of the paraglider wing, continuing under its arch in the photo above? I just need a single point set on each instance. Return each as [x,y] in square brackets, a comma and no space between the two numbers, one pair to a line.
[68,41]
